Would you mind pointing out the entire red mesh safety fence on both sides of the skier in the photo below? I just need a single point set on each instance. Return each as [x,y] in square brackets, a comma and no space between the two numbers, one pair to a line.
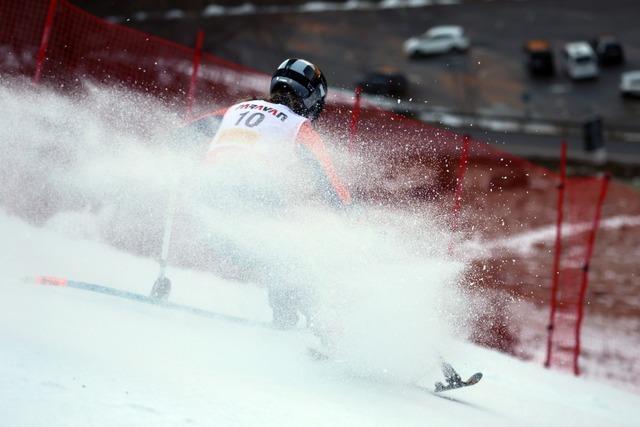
[484,191]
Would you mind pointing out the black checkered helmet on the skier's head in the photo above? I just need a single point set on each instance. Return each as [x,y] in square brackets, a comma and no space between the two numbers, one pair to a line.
[305,81]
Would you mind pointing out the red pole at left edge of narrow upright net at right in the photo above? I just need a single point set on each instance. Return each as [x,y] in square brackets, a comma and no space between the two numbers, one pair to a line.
[558,250]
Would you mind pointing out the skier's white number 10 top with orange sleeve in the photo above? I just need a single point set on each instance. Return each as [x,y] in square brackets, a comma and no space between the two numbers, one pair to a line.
[262,126]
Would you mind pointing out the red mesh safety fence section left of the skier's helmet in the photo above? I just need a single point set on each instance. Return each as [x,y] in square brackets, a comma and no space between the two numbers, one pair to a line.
[69,45]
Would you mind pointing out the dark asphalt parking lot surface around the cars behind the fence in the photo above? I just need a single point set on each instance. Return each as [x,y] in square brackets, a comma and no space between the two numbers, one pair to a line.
[490,78]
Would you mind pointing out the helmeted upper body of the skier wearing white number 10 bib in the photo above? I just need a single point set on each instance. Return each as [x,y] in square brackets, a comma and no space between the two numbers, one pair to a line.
[297,97]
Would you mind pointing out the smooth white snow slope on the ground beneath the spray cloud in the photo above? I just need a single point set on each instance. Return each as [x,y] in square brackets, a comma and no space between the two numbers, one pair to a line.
[73,358]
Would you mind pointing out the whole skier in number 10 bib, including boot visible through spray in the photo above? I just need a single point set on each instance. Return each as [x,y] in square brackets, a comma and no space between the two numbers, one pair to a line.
[282,122]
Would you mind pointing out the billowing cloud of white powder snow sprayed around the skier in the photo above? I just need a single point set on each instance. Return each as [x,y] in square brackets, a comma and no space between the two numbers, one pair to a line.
[379,286]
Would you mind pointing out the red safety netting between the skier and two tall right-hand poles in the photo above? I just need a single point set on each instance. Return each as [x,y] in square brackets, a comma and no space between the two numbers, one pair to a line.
[498,194]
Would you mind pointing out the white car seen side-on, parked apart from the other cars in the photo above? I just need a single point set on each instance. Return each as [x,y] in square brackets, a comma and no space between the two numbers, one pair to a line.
[441,39]
